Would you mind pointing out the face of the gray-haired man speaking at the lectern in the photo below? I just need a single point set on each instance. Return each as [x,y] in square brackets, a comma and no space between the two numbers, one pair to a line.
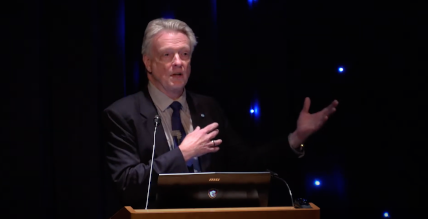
[169,62]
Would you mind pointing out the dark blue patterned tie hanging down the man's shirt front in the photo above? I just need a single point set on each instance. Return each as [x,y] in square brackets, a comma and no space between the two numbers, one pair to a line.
[179,134]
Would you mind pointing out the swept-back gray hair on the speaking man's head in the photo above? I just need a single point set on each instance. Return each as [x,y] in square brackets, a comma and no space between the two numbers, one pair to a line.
[160,24]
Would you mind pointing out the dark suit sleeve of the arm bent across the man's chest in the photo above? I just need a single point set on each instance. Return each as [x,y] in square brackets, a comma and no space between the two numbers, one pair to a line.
[129,174]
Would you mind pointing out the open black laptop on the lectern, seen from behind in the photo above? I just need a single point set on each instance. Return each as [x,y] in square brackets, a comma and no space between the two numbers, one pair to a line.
[213,190]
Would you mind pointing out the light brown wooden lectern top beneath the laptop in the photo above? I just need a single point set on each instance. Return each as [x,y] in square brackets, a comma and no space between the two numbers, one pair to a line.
[288,212]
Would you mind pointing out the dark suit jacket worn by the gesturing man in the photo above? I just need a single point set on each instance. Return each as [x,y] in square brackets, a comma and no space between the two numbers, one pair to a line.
[129,129]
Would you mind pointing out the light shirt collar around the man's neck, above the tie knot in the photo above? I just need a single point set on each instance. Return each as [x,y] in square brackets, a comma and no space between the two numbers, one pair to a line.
[162,101]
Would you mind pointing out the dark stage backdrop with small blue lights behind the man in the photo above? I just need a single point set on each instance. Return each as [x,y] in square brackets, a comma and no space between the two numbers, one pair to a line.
[71,59]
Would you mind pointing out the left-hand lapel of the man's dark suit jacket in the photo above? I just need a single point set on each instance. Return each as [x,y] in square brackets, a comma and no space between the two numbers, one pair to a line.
[148,112]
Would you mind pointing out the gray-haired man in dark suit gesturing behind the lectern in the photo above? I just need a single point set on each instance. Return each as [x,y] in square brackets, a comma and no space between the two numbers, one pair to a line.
[194,135]
